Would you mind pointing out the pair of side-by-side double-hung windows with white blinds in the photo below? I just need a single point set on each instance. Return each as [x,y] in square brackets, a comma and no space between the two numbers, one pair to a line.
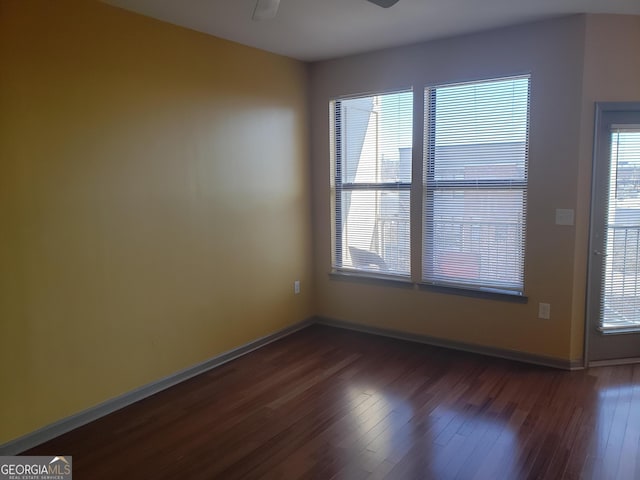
[474,184]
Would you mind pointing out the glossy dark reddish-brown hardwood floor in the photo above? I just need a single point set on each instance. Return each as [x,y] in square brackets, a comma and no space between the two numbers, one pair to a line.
[325,403]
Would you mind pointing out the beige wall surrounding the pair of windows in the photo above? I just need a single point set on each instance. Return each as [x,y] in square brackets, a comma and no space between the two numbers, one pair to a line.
[552,51]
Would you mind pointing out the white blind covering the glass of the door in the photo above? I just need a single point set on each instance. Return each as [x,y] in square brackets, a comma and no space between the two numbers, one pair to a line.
[621,283]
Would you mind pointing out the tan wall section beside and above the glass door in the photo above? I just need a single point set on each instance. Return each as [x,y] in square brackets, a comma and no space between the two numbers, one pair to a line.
[611,74]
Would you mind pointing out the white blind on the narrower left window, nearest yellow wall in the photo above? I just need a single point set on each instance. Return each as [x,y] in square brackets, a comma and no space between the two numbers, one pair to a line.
[371,180]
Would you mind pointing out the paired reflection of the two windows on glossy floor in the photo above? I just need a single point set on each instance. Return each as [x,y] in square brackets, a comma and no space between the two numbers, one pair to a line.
[384,431]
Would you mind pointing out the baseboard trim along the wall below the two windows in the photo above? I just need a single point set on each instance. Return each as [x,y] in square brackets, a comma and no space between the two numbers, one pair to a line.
[465,347]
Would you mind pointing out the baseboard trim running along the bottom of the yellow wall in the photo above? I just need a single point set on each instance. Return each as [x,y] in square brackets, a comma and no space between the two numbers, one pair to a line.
[48,432]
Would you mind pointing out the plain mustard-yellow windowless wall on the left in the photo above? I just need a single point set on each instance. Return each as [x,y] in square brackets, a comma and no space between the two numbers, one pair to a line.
[153,203]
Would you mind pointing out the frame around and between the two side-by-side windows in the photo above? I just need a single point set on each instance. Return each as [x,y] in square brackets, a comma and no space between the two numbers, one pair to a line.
[419,189]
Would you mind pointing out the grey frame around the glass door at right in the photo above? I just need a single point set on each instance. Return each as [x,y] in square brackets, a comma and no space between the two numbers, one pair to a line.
[599,143]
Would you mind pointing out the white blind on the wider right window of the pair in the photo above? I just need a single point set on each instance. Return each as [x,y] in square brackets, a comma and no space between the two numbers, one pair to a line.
[475,192]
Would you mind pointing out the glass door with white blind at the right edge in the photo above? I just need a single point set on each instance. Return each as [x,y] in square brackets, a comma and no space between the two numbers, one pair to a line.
[614,278]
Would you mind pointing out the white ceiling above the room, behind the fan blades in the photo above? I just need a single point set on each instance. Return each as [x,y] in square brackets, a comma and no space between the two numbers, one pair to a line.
[321,29]
